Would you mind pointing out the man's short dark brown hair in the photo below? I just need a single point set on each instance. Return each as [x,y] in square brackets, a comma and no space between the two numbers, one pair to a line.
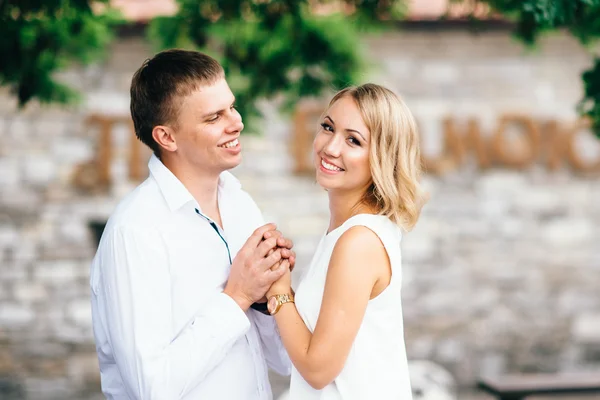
[160,85]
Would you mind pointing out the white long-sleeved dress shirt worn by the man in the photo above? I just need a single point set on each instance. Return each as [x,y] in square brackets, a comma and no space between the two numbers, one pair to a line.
[163,328]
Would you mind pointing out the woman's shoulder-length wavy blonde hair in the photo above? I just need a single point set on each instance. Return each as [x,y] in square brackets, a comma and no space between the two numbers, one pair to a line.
[395,155]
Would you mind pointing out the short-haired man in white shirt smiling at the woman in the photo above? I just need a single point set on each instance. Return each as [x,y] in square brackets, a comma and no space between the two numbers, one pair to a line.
[184,256]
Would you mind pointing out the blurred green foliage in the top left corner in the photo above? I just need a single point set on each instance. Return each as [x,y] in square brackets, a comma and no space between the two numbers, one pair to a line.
[41,37]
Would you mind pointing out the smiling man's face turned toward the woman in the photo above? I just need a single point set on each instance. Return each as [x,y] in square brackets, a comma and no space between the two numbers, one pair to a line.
[208,129]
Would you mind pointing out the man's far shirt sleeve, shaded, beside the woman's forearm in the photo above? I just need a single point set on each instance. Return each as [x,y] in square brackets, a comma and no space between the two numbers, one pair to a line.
[275,354]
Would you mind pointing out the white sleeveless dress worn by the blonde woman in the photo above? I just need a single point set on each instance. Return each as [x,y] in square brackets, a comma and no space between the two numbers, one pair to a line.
[377,366]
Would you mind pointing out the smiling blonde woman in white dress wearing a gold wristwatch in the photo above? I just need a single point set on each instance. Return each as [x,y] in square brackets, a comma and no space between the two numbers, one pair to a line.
[344,333]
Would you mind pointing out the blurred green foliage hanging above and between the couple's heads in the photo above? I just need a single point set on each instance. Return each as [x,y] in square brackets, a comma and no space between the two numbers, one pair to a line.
[277,47]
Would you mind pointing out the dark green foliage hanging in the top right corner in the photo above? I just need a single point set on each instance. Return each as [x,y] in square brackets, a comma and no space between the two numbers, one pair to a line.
[579,17]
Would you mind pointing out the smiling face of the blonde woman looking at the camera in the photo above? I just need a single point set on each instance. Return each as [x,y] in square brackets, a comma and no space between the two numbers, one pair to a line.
[341,149]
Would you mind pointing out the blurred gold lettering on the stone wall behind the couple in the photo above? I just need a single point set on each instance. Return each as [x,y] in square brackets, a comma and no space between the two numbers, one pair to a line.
[550,143]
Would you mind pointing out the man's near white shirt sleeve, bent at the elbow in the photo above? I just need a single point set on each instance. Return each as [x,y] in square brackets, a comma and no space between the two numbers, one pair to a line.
[135,296]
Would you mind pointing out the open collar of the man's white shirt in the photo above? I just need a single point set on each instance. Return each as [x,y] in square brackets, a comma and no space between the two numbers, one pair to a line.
[174,192]
